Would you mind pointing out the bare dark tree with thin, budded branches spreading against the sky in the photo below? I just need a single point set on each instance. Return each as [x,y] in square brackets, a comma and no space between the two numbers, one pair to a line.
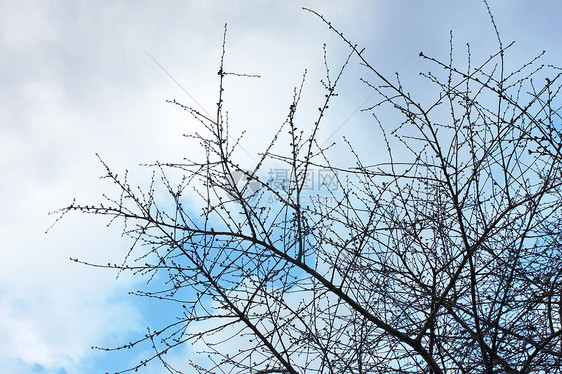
[445,258]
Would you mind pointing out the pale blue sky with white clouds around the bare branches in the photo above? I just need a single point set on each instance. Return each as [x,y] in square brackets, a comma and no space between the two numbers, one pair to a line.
[80,77]
